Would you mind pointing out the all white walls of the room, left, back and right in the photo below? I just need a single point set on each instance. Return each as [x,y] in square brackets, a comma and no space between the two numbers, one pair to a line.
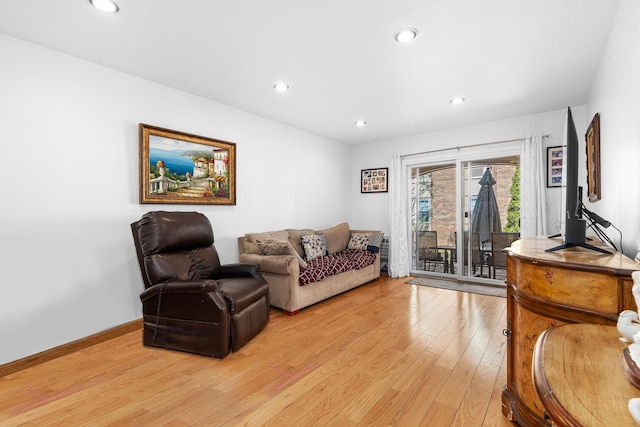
[70,187]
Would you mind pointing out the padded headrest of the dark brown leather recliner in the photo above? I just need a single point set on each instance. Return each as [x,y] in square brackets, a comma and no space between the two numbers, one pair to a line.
[162,231]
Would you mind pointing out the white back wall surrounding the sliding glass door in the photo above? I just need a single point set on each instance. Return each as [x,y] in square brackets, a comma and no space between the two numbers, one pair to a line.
[373,209]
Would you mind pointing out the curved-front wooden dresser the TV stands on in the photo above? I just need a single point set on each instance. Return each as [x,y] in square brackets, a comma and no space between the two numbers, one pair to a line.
[546,289]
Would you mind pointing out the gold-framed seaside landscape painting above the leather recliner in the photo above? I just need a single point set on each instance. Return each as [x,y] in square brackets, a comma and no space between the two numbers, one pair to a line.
[181,168]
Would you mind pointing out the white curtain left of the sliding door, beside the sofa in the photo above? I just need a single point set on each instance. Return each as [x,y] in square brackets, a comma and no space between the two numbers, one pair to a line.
[399,257]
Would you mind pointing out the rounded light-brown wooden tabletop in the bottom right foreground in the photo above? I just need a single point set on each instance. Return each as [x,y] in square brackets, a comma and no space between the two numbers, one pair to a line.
[579,375]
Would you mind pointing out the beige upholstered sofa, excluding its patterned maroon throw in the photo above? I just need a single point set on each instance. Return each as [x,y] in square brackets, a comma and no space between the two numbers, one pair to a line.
[281,267]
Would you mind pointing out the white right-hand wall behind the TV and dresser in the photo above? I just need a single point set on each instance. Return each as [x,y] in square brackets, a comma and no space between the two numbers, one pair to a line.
[615,95]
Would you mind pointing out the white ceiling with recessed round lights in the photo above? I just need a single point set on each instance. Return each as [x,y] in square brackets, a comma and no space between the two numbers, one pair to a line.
[506,57]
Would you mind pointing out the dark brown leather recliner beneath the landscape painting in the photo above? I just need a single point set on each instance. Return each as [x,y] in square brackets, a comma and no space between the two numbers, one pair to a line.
[191,302]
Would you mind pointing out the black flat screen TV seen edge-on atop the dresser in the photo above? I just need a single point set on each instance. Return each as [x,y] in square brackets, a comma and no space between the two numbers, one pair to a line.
[575,226]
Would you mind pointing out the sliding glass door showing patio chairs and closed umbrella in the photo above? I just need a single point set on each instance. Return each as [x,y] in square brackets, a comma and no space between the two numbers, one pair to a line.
[462,212]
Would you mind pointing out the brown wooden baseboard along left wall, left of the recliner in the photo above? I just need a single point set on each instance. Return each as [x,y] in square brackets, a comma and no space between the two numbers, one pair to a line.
[63,350]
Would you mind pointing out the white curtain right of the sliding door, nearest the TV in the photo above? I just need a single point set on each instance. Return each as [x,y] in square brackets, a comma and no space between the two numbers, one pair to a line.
[533,213]
